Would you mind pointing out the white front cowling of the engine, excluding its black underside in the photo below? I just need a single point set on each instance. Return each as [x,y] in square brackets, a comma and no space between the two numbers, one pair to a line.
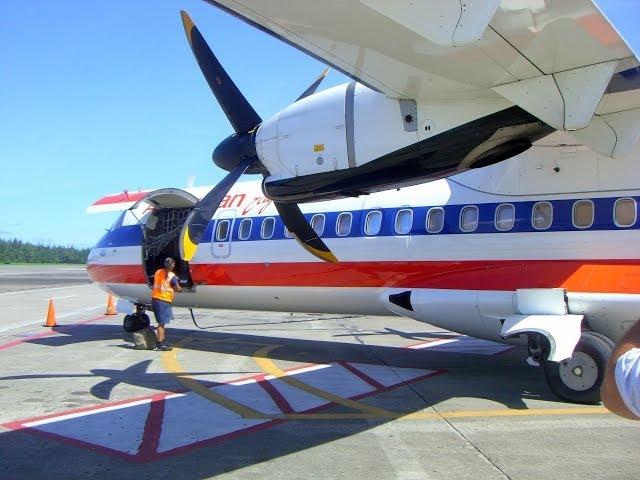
[324,133]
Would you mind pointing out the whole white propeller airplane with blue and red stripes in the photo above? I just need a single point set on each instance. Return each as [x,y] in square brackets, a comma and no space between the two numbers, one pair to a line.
[477,174]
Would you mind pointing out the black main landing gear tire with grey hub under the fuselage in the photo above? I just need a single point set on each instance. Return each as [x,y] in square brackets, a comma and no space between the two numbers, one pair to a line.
[589,359]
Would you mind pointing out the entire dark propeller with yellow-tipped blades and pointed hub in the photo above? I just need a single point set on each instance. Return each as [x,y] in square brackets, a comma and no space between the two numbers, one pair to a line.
[237,154]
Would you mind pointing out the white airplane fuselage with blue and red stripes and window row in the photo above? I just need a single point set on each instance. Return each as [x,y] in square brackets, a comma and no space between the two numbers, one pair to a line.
[557,216]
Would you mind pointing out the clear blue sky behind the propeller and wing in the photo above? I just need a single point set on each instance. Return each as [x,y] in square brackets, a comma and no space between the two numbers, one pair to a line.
[101,96]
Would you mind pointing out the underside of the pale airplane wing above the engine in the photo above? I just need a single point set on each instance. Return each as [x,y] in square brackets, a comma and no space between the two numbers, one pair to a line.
[562,61]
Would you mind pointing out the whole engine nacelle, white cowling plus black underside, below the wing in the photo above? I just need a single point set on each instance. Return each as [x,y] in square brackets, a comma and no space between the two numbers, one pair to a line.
[350,140]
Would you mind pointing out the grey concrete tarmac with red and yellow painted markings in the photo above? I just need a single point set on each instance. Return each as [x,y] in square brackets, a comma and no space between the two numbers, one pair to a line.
[278,396]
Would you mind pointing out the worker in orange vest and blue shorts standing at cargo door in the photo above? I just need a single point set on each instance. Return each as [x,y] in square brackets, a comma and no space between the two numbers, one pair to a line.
[165,282]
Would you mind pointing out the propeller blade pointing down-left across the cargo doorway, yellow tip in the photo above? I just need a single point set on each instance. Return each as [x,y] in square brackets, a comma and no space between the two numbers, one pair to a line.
[203,211]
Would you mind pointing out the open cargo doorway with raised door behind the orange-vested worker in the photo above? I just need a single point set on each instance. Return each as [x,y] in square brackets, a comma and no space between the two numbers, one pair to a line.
[161,215]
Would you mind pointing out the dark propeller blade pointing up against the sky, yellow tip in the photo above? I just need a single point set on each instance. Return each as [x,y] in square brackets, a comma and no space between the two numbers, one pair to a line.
[241,115]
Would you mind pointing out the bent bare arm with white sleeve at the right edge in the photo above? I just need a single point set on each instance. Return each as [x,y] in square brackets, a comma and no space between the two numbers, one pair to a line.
[620,389]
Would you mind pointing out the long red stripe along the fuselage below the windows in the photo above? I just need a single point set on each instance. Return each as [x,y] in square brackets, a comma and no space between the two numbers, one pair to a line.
[604,276]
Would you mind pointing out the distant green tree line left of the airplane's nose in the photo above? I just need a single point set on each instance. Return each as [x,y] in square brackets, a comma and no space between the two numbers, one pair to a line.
[17,251]
